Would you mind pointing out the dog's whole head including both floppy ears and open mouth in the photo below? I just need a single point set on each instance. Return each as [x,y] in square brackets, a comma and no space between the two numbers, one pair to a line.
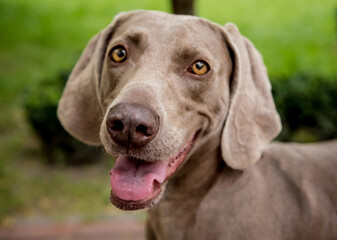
[153,87]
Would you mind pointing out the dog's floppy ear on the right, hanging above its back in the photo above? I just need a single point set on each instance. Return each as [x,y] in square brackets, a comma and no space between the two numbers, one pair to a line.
[252,121]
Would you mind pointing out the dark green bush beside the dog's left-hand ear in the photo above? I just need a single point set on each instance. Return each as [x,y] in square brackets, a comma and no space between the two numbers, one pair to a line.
[59,147]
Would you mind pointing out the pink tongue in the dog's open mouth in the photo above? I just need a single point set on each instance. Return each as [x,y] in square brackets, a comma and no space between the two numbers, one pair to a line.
[133,180]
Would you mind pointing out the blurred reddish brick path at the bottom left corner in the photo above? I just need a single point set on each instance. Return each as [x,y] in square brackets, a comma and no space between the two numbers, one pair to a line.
[101,230]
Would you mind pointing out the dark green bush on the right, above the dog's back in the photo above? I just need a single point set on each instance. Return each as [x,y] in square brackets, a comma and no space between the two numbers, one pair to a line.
[307,106]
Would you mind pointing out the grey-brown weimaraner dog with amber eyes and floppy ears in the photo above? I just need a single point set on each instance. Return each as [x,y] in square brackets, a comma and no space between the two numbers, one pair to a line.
[185,106]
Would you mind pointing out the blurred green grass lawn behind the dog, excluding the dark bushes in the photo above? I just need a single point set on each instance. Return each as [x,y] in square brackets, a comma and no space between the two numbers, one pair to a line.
[40,38]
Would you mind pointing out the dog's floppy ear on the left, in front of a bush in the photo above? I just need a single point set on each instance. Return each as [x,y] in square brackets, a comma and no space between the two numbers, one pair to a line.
[79,109]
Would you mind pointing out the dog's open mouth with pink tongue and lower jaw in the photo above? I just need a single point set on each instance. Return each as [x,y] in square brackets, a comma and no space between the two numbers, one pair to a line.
[138,184]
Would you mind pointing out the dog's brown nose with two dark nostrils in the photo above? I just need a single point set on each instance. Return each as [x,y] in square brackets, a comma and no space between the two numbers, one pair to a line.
[132,125]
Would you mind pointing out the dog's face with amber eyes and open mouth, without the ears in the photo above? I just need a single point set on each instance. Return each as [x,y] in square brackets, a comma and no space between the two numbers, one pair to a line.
[165,93]
